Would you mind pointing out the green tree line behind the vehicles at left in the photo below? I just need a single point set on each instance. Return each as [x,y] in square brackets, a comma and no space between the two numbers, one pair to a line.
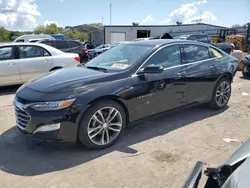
[7,36]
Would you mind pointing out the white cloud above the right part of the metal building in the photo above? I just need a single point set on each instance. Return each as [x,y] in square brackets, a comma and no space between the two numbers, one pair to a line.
[188,12]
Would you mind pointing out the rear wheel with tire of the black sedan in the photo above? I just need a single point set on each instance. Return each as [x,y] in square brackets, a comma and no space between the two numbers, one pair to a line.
[221,94]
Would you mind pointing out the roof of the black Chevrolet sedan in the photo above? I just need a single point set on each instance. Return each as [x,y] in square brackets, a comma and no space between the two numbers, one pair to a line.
[162,42]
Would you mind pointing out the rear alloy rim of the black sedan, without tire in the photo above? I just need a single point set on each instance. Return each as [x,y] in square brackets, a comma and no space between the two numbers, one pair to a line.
[223,93]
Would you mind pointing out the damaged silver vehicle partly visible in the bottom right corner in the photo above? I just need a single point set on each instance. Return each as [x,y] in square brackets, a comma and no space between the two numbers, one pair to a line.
[234,173]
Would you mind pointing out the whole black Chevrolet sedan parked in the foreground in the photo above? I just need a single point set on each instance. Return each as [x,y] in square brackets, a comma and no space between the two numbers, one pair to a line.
[93,103]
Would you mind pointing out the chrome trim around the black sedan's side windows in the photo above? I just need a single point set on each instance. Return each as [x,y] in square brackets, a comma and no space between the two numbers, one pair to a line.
[208,46]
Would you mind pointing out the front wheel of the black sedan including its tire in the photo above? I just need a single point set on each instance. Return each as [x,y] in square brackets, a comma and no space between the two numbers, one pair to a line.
[102,124]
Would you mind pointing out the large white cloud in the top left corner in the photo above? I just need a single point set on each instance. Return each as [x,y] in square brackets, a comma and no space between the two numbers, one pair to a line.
[18,14]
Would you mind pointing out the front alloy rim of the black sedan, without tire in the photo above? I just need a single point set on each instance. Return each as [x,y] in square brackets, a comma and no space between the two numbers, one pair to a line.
[104,126]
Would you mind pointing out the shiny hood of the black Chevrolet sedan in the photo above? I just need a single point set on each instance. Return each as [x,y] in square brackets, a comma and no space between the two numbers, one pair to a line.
[67,80]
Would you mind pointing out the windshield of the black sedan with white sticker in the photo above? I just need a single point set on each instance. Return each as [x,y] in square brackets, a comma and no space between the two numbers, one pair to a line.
[119,57]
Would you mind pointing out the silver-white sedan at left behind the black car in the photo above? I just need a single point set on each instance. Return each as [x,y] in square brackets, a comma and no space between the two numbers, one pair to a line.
[21,62]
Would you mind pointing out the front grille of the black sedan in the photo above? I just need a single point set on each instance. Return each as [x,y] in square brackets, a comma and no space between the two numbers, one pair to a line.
[22,118]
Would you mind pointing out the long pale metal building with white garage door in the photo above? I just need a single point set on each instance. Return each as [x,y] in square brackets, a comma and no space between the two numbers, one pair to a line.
[117,33]
